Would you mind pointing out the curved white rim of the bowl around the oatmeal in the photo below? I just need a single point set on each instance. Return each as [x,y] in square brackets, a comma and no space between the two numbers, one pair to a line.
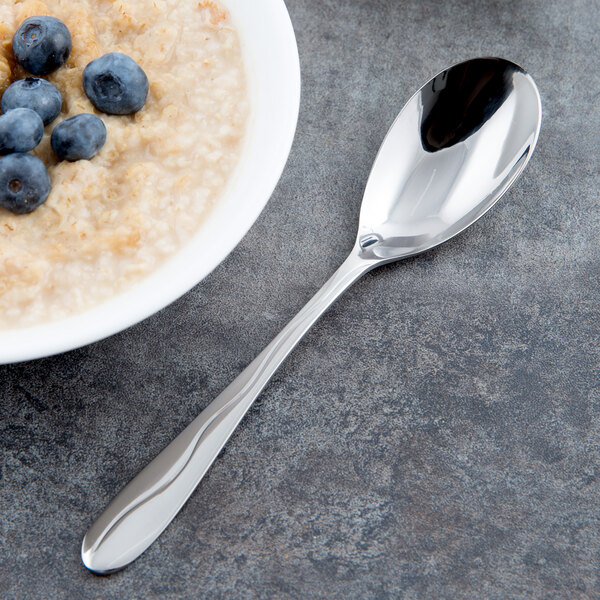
[271,55]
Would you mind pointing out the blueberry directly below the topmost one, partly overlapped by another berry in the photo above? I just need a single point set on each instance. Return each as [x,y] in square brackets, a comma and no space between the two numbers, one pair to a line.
[37,94]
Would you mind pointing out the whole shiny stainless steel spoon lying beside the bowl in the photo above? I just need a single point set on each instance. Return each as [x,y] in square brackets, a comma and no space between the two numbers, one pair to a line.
[454,149]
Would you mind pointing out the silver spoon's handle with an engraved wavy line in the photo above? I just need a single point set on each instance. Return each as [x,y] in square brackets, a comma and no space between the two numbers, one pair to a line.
[144,508]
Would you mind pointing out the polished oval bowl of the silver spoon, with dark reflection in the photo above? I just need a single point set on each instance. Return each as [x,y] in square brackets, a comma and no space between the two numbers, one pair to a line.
[454,149]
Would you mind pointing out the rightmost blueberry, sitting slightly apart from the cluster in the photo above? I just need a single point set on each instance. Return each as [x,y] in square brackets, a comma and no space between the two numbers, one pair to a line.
[116,84]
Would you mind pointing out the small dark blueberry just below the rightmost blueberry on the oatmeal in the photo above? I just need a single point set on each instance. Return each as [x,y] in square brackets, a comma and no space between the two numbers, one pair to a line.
[79,138]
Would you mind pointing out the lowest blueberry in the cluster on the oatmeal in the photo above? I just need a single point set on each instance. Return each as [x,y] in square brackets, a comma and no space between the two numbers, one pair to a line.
[24,183]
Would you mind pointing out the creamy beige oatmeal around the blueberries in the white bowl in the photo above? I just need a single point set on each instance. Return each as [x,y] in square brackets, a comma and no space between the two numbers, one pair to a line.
[112,220]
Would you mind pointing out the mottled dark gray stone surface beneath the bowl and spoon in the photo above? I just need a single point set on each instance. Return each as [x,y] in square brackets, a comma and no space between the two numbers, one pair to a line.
[436,435]
